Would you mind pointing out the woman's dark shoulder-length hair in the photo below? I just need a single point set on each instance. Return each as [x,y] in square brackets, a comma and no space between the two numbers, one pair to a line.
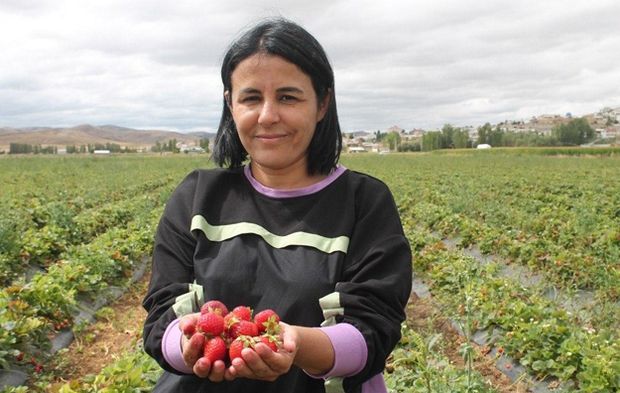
[281,37]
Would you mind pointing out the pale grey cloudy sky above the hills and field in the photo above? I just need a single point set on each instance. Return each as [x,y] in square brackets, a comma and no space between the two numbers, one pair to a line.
[411,63]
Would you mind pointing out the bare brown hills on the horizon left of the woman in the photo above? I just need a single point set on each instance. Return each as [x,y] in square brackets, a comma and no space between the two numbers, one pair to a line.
[87,134]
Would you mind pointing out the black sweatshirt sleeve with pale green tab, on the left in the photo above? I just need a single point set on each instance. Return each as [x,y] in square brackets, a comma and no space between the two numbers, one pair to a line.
[171,291]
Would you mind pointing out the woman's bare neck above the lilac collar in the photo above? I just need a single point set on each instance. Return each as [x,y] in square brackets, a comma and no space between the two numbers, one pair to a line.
[284,179]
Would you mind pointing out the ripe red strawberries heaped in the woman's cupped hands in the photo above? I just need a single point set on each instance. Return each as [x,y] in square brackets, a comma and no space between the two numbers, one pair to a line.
[228,333]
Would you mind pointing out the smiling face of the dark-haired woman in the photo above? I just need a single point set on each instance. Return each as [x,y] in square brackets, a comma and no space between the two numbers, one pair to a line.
[275,109]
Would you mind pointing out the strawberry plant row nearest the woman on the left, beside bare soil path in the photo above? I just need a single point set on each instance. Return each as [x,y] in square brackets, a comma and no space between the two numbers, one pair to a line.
[29,312]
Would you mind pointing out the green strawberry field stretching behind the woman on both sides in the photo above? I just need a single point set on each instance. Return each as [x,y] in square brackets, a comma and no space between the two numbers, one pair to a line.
[519,250]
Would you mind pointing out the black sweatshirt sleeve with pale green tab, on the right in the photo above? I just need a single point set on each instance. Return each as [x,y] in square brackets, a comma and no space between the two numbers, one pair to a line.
[376,281]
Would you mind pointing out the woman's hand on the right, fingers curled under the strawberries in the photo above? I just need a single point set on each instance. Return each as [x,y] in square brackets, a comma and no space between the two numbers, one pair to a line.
[264,364]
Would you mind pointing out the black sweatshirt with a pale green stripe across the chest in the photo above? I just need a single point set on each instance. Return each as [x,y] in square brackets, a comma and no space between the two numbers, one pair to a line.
[284,252]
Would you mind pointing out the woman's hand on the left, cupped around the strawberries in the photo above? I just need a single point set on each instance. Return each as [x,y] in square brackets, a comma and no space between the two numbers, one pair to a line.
[193,351]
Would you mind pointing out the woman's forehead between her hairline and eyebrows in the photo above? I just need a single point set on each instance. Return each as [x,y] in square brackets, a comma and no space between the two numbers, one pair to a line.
[265,70]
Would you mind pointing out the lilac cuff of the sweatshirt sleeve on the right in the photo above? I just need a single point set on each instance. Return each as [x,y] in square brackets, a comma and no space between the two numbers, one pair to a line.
[350,351]
